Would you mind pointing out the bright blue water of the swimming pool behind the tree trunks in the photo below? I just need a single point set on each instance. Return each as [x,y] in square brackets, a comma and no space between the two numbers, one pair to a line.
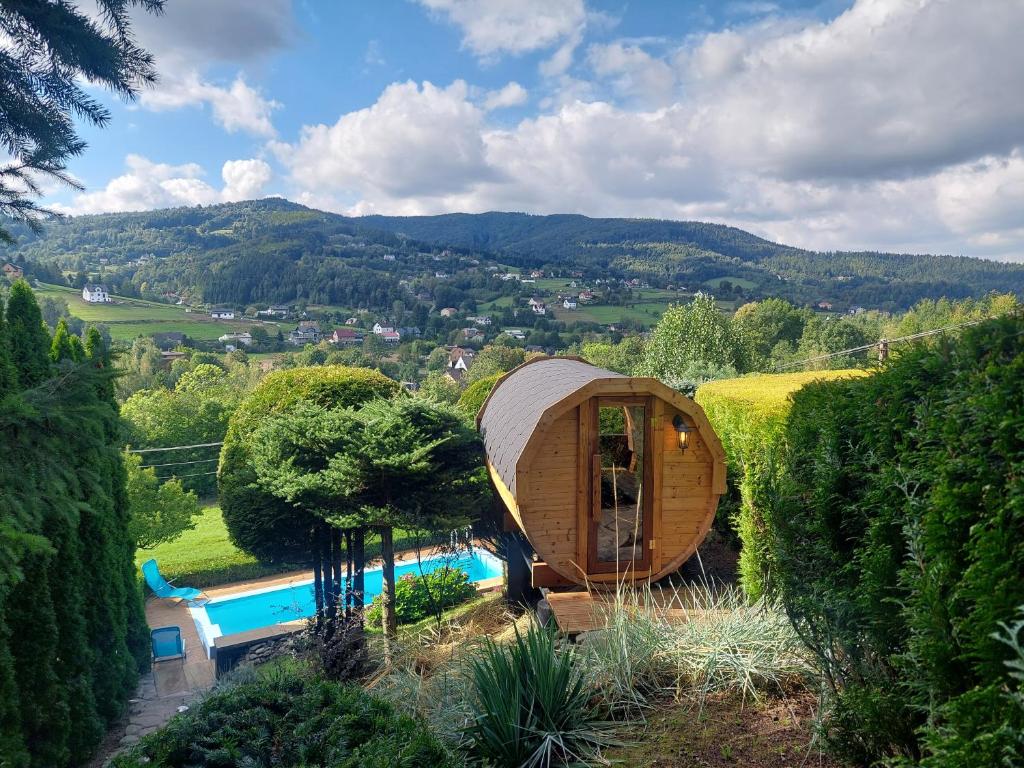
[289,604]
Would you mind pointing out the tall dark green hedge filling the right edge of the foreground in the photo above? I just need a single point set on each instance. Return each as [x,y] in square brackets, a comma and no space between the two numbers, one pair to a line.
[899,549]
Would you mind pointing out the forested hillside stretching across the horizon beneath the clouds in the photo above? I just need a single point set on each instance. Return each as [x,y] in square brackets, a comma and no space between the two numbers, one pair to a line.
[276,251]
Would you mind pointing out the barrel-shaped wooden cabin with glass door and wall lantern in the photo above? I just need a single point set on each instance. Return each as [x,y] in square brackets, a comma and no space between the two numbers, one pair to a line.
[609,477]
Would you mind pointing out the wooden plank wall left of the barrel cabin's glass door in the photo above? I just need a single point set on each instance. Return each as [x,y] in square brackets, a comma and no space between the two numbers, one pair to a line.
[550,518]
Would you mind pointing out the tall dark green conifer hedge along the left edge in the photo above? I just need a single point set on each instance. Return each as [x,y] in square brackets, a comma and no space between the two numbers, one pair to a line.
[73,634]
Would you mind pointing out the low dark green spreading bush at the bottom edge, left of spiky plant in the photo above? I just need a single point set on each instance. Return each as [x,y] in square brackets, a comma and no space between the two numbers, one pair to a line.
[283,715]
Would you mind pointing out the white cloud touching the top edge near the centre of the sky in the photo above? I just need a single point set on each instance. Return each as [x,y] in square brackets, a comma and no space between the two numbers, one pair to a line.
[495,27]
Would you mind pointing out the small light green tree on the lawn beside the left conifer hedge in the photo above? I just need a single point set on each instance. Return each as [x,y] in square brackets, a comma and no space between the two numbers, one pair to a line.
[158,511]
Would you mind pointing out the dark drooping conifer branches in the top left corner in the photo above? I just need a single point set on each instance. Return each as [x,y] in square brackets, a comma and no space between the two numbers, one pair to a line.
[53,51]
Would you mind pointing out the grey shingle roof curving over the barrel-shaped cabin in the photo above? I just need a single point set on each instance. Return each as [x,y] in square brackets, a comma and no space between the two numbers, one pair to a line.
[520,400]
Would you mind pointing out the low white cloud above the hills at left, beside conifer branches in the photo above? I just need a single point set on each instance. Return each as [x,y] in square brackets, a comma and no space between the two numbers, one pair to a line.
[147,185]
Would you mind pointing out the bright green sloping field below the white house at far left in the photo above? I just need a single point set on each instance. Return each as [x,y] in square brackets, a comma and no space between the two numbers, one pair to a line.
[127,319]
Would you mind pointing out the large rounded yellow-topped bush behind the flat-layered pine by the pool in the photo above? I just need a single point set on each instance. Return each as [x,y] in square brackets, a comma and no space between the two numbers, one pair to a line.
[260,523]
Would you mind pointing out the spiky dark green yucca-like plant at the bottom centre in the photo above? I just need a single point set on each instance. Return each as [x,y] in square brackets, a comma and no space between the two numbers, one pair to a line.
[533,705]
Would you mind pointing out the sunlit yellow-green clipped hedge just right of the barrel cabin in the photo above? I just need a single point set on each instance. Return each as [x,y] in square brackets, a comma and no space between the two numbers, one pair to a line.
[749,415]
